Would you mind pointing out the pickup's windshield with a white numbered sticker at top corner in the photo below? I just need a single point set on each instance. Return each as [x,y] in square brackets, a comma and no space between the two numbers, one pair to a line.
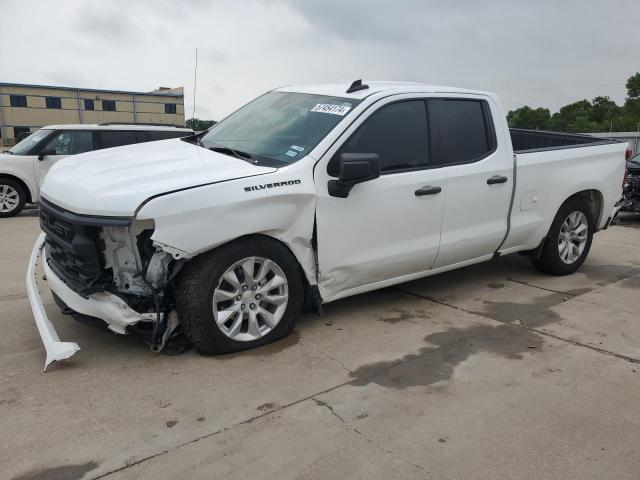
[278,127]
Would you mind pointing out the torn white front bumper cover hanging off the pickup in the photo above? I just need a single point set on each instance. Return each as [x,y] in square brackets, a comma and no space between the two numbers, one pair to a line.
[106,306]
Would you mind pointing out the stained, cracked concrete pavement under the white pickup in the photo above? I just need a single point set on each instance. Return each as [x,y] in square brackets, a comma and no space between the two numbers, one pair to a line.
[493,371]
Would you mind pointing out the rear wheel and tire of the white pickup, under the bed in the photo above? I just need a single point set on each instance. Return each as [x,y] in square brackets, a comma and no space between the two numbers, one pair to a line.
[569,239]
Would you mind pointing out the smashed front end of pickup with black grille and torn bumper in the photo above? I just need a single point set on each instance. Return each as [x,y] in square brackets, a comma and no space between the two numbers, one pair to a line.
[106,268]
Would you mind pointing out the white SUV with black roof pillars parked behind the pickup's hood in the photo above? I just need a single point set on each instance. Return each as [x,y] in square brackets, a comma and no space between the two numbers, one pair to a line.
[23,167]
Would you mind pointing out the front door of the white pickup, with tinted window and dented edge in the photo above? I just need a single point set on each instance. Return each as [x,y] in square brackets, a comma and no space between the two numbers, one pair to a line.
[387,229]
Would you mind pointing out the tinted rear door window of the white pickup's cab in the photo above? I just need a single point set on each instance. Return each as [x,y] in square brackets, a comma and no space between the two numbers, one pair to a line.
[460,131]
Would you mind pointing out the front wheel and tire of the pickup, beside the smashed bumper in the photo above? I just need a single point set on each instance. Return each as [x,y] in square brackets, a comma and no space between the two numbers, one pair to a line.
[239,296]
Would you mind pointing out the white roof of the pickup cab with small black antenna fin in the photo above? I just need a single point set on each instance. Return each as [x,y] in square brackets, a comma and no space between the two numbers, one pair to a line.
[340,89]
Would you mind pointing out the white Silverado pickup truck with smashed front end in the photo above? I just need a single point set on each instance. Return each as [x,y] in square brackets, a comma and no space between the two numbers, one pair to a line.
[306,195]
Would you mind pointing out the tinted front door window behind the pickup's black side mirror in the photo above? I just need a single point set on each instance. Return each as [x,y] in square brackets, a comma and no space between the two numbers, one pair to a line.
[396,132]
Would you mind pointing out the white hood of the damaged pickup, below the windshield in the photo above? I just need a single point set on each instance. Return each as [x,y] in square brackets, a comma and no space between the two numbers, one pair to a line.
[115,181]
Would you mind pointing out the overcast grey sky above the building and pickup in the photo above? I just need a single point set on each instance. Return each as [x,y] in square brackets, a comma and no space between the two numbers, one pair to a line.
[535,52]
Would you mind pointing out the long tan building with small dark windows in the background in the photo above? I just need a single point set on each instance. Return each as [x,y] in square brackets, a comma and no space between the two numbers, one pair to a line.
[25,108]
